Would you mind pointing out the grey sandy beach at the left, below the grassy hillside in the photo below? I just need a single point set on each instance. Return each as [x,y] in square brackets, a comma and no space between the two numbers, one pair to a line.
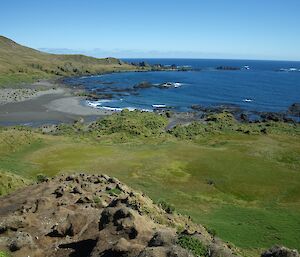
[43,103]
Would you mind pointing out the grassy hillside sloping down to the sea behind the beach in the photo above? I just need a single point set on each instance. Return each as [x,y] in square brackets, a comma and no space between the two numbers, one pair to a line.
[22,64]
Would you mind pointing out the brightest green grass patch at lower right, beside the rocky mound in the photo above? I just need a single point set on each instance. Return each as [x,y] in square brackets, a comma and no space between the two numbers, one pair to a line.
[255,227]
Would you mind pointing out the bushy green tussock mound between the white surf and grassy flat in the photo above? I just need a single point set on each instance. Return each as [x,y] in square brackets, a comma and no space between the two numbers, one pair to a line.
[119,127]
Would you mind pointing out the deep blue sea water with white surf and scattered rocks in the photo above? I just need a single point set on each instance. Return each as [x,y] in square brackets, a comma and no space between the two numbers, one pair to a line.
[268,88]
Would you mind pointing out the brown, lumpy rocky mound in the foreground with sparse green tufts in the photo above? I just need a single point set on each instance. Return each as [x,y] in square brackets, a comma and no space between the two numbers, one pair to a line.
[96,215]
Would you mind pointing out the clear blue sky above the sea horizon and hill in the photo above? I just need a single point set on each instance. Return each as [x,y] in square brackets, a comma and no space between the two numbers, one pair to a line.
[253,29]
